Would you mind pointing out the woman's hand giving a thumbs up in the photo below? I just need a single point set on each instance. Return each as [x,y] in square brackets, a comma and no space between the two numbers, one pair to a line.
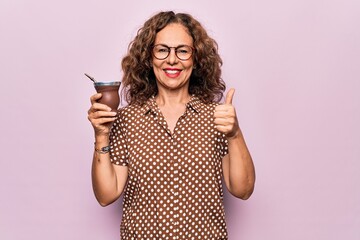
[225,117]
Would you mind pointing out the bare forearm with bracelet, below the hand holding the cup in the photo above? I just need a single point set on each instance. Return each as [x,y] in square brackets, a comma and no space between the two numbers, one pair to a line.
[103,175]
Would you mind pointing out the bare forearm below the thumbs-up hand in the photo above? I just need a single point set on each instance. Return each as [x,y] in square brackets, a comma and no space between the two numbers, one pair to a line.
[241,171]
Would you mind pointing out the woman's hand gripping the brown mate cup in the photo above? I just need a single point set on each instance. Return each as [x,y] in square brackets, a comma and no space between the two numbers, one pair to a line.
[100,116]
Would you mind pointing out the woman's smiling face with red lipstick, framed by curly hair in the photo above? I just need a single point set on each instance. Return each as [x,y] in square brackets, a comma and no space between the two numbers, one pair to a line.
[172,73]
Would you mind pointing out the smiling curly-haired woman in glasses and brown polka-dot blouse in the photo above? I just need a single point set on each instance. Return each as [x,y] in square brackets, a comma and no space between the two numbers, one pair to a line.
[172,146]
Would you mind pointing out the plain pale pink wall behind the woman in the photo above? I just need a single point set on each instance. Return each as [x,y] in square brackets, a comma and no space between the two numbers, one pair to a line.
[294,63]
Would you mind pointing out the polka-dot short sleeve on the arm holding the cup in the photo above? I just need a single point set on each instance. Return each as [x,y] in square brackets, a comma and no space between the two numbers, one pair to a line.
[118,145]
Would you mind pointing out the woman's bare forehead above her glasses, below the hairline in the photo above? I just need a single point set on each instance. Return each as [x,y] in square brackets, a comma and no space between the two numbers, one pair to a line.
[173,35]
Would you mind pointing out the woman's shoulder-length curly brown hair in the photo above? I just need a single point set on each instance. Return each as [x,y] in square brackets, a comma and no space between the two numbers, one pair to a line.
[139,82]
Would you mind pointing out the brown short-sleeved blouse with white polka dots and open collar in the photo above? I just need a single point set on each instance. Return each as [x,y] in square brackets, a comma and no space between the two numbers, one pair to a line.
[174,188]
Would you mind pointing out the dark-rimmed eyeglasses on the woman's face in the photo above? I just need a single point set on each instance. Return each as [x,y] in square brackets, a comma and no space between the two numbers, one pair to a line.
[182,52]
